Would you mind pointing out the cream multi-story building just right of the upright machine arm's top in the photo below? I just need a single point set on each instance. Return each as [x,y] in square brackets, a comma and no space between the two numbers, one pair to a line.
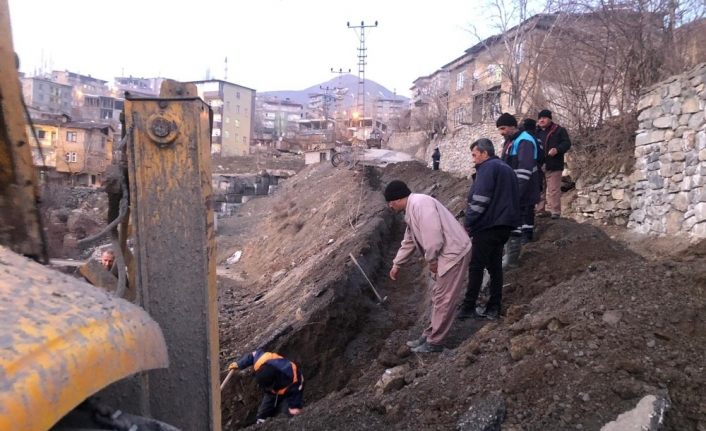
[233,108]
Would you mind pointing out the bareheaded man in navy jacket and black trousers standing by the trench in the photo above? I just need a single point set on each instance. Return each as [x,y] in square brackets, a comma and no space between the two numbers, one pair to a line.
[493,211]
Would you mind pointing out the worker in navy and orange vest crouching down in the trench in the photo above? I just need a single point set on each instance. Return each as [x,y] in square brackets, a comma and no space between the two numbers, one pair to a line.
[279,378]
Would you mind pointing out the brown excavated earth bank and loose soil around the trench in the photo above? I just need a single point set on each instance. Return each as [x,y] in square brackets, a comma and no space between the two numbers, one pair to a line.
[589,326]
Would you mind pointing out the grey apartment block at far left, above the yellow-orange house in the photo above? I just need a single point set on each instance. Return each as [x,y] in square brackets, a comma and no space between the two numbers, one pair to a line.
[42,94]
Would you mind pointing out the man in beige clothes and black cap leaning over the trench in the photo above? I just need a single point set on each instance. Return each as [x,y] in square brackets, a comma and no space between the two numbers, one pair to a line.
[445,246]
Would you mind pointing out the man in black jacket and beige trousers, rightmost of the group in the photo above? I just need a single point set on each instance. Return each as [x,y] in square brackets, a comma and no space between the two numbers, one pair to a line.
[556,144]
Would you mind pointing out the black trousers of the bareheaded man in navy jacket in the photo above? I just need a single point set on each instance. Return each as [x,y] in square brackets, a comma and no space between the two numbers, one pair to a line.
[487,253]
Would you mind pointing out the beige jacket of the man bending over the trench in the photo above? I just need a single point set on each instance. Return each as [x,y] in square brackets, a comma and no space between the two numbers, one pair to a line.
[434,231]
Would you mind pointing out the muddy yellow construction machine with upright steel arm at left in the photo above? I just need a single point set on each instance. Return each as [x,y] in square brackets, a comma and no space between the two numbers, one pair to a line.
[74,356]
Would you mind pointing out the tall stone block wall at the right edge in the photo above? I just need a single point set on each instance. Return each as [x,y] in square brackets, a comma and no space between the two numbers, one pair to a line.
[669,194]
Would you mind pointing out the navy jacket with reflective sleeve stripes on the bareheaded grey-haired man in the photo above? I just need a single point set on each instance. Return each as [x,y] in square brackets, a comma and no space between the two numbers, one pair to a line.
[493,199]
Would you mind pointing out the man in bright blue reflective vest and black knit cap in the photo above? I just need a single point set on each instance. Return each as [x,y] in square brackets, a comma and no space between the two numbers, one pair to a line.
[521,152]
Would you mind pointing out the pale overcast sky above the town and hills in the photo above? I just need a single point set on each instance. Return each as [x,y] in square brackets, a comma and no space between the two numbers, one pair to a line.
[270,44]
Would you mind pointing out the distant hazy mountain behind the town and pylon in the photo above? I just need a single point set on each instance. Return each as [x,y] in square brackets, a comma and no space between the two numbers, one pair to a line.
[348,82]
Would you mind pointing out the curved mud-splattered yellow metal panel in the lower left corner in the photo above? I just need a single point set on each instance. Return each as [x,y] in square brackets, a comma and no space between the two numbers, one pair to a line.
[62,340]
